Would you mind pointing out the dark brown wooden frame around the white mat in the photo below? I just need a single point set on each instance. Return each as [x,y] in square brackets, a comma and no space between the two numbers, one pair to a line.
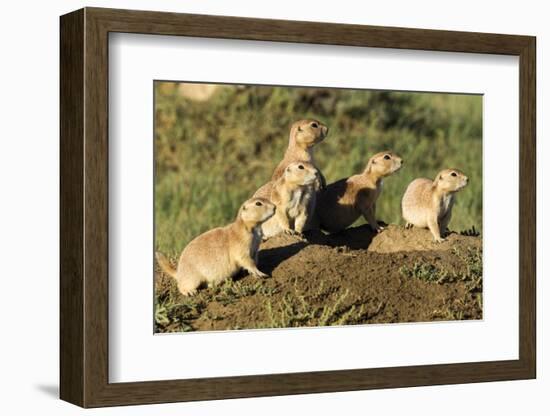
[84,207]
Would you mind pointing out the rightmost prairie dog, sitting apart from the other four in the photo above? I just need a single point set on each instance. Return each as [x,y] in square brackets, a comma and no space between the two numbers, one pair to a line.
[429,204]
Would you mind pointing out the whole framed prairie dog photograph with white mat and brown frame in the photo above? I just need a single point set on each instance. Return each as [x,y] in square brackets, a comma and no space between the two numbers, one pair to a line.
[262,207]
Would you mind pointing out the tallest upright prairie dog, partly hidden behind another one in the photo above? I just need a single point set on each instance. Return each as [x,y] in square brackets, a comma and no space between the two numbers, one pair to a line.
[304,134]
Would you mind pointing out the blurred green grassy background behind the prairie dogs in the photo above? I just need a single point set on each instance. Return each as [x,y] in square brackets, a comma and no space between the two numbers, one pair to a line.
[216,144]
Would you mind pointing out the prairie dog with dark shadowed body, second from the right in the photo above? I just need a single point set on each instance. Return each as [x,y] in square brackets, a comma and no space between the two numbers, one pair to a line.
[342,202]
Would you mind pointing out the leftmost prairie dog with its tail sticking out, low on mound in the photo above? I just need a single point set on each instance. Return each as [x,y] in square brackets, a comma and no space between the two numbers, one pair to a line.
[219,253]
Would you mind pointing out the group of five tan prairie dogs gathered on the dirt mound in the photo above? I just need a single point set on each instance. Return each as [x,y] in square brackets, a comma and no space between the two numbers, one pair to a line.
[297,199]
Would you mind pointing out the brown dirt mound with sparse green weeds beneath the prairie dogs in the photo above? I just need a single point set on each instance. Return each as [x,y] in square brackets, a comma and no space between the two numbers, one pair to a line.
[354,277]
